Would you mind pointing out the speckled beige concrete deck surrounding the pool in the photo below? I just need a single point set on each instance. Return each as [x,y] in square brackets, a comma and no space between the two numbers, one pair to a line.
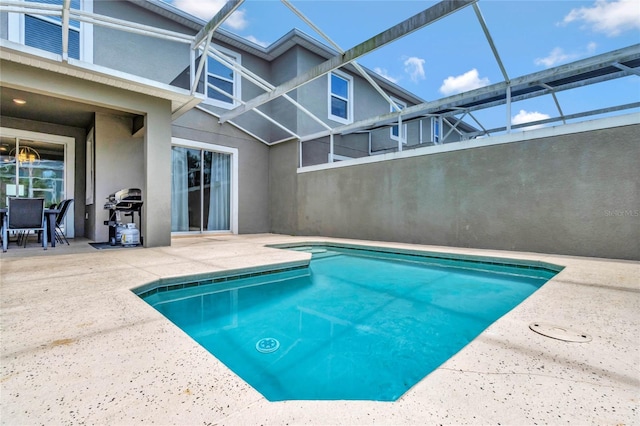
[78,347]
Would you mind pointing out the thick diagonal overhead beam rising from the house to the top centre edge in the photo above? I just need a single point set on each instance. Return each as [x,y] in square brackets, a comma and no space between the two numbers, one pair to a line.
[426,17]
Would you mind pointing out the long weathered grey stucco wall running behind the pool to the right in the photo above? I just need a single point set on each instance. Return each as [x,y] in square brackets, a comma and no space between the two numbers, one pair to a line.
[575,194]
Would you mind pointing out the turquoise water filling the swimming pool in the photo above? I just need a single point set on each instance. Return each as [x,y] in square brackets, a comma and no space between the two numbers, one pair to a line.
[355,325]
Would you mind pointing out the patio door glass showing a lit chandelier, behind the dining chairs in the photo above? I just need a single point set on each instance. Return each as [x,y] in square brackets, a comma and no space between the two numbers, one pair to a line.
[31,168]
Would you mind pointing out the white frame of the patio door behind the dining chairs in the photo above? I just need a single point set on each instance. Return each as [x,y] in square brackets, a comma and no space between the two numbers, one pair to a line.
[69,144]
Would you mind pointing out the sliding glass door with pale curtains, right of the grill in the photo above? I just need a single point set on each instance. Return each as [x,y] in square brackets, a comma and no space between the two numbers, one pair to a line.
[200,190]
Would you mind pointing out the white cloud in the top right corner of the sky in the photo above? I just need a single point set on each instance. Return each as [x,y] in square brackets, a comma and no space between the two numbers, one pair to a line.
[611,18]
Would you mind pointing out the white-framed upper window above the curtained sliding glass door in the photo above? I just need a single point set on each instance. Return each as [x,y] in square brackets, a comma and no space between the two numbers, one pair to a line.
[223,83]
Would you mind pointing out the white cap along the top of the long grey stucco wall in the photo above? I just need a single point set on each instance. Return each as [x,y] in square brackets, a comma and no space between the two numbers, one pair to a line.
[563,129]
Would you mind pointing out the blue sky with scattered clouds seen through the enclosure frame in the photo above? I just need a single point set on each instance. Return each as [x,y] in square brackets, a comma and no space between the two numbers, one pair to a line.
[453,55]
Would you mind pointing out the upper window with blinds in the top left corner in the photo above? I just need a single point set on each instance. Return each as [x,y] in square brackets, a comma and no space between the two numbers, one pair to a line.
[45,31]
